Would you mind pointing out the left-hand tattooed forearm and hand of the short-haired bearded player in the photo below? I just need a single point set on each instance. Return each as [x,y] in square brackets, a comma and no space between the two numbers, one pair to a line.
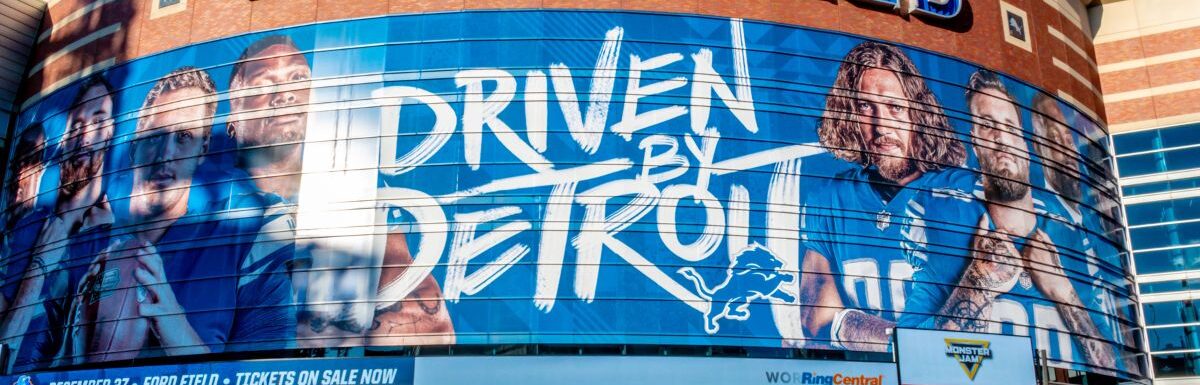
[994,269]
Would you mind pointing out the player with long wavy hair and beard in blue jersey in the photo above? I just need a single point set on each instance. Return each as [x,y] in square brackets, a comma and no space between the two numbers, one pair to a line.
[881,117]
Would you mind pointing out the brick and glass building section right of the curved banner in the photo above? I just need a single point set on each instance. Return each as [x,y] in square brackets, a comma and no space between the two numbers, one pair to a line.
[1148,55]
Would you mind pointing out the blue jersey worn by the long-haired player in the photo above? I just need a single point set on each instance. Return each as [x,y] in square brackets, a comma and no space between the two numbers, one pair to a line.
[849,222]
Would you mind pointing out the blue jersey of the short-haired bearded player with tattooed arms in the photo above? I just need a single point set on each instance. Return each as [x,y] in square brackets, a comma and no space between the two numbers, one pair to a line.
[939,248]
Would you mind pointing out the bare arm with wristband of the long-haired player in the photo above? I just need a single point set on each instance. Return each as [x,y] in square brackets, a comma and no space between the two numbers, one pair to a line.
[823,308]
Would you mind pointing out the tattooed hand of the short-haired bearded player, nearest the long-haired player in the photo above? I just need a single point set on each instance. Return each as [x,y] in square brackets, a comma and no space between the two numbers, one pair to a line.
[997,264]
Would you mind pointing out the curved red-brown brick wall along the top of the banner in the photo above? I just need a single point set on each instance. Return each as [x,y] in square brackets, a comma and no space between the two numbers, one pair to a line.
[976,35]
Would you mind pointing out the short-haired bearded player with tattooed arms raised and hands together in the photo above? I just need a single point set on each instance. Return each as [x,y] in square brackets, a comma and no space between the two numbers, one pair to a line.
[1011,273]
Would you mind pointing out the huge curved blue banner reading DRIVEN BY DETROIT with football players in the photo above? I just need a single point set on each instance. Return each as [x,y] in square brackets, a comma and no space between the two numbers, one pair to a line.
[559,178]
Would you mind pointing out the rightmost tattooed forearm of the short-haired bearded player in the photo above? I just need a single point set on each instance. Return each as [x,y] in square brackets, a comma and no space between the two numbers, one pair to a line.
[1058,288]
